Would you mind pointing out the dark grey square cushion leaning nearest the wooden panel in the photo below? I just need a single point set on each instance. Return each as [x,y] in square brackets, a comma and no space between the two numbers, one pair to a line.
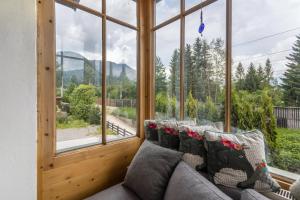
[150,171]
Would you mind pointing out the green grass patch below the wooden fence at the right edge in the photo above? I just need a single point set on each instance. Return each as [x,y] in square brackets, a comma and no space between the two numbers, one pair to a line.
[288,146]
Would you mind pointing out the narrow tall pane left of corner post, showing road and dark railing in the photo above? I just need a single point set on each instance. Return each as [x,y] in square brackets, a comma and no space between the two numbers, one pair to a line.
[121,80]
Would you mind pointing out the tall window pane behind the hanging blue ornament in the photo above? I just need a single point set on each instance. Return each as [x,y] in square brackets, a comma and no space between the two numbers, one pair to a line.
[205,65]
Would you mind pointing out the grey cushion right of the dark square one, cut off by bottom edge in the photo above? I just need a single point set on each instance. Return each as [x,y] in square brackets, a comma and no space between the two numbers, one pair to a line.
[186,183]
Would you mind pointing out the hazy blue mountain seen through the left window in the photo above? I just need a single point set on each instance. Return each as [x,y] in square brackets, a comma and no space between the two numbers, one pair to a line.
[73,66]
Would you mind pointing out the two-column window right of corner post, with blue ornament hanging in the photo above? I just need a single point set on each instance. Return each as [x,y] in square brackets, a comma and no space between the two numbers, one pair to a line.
[189,66]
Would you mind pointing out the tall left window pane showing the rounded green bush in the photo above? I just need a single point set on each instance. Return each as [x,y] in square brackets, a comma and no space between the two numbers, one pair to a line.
[78,78]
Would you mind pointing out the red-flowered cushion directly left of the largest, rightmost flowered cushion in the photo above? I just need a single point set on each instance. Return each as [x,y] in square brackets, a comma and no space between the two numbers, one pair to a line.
[192,144]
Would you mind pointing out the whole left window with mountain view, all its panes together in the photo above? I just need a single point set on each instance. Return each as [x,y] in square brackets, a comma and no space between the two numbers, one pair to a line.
[93,107]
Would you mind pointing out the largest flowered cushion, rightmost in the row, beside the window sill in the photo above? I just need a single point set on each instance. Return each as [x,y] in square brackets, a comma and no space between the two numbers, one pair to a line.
[238,160]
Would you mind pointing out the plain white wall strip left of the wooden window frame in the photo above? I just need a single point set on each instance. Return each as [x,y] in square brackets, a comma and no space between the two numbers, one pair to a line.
[18,124]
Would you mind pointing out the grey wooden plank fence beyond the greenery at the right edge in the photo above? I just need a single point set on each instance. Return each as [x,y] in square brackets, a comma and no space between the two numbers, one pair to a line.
[287,117]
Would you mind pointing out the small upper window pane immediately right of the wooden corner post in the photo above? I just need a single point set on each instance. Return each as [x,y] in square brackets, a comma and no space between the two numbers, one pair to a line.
[166,9]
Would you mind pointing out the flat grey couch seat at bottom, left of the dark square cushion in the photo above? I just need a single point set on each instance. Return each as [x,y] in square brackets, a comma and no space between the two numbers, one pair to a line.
[116,192]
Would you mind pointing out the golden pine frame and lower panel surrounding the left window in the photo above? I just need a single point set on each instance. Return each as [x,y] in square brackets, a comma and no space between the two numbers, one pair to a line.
[120,152]
